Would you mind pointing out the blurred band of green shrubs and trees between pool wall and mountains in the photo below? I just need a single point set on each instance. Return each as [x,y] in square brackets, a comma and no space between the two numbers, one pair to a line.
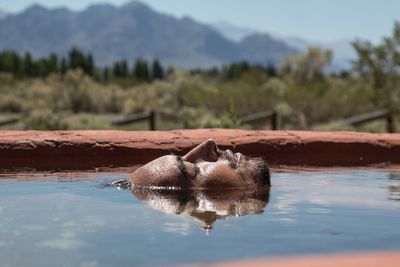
[72,93]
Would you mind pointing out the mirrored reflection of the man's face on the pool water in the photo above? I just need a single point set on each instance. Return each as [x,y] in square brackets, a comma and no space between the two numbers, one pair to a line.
[206,207]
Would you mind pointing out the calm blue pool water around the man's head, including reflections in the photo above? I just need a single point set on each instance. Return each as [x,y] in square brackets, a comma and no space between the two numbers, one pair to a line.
[83,222]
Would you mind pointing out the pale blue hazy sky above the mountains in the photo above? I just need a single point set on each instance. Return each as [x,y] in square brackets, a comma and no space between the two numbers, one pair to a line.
[325,20]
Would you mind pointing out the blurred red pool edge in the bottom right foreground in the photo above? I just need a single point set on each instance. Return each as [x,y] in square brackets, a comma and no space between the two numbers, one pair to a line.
[371,259]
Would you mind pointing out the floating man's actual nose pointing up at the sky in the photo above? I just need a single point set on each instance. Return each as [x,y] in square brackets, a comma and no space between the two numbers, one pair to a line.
[207,151]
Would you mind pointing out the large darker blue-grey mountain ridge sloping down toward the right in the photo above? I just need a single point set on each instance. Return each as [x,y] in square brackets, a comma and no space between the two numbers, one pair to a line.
[131,31]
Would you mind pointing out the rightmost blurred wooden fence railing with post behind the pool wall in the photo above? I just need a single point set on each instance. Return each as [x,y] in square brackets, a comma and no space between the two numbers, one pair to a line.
[372,116]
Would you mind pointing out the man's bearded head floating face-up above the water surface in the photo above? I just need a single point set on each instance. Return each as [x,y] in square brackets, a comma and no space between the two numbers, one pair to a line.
[205,166]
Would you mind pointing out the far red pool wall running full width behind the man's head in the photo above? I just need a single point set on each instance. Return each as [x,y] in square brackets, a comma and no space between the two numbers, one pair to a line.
[89,149]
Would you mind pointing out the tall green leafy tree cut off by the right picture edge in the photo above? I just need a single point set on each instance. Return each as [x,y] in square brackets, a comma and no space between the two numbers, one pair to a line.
[380,65]
